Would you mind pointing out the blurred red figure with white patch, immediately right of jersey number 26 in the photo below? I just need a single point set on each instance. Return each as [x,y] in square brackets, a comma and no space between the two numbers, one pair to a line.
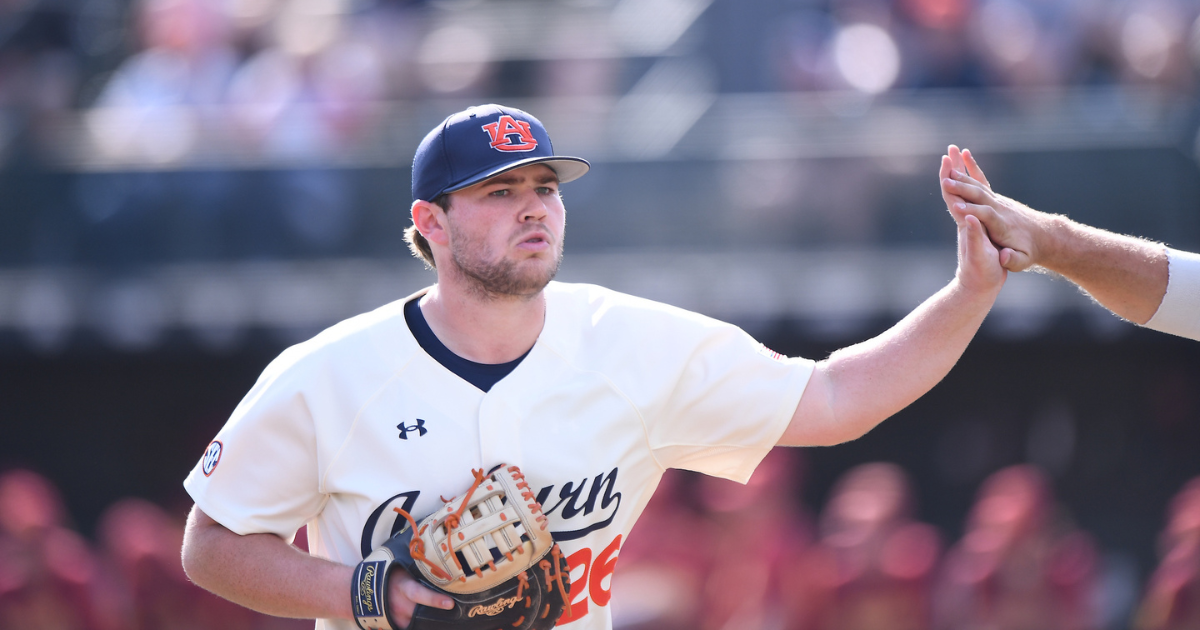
[662,565]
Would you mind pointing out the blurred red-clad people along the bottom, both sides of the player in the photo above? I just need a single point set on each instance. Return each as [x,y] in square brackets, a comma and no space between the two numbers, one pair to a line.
[707,555]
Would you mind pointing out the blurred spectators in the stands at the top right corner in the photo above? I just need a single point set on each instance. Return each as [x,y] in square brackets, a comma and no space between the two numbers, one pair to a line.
[875,47]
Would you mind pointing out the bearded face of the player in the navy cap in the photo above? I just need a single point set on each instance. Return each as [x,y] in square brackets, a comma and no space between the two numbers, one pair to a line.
[507,233]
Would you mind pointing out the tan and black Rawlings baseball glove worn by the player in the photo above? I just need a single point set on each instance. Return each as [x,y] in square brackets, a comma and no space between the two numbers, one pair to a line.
[490,553]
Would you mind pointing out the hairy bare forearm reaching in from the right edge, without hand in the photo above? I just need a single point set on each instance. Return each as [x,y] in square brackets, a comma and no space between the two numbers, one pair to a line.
[1126,275]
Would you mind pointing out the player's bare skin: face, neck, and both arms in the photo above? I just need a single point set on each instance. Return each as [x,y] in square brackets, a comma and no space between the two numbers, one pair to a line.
[496,249]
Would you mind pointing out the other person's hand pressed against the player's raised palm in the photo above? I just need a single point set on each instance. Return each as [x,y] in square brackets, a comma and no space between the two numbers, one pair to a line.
[1016,230]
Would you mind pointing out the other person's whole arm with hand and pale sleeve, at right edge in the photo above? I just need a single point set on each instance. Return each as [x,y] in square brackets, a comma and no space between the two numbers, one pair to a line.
[1142,281]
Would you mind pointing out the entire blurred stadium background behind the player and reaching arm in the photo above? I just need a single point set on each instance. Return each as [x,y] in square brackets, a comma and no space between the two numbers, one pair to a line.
[189,187]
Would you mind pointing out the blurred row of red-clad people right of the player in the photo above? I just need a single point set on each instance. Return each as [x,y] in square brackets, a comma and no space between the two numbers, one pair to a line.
[712,555]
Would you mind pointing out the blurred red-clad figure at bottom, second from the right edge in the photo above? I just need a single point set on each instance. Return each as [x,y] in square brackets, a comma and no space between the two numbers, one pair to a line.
[1021,566]
